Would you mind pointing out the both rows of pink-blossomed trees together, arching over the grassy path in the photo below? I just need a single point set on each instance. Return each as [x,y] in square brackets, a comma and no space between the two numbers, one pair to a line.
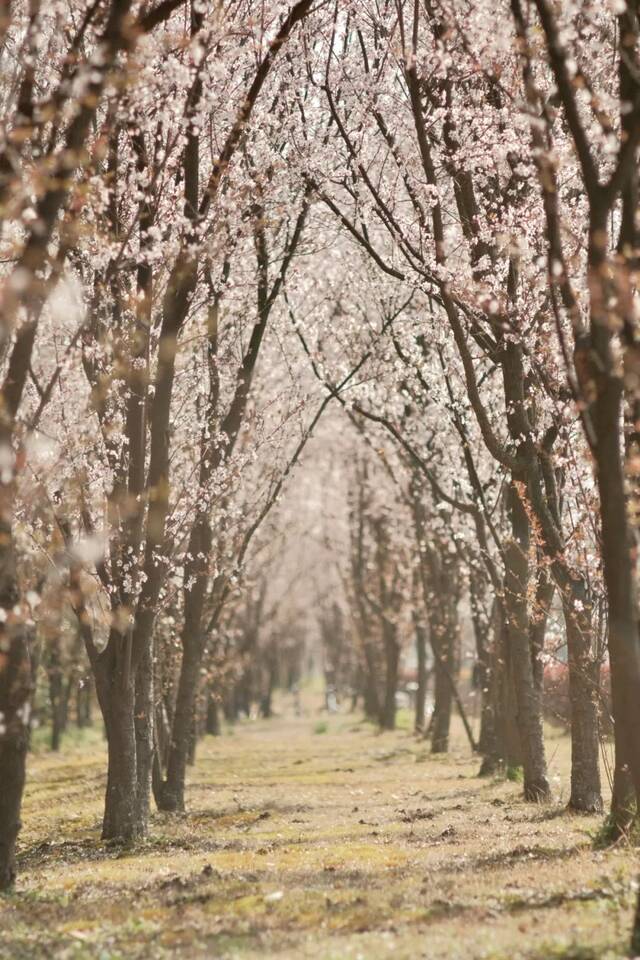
[219,221]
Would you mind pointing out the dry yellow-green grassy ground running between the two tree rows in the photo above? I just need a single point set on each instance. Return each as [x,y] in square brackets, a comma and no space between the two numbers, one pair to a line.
[316,837]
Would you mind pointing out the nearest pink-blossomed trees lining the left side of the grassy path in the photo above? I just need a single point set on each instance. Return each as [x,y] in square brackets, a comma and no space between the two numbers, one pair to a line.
[113,179]
